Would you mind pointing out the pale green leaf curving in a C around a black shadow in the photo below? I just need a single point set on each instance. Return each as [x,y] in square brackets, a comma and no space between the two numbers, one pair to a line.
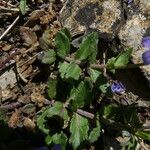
[56,110]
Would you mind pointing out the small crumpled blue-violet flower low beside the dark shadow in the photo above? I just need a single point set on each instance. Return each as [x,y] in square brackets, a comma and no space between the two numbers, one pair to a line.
[117,87]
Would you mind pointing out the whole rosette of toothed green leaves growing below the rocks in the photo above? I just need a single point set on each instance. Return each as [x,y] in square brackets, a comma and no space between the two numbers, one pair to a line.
[75,85]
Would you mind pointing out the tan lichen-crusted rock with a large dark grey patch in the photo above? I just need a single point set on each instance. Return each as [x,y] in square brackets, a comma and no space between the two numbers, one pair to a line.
[83,15]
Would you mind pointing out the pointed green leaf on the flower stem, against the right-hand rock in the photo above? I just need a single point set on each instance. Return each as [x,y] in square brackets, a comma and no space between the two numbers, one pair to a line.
[123,58]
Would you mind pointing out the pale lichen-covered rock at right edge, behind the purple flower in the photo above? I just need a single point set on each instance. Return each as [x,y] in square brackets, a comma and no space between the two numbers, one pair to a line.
[137,26]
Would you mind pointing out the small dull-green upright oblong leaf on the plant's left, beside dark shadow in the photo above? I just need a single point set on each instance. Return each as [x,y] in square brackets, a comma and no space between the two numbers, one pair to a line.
[51,88]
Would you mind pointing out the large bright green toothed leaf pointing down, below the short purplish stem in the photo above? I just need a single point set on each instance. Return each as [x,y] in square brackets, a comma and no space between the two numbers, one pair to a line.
[79,130]
